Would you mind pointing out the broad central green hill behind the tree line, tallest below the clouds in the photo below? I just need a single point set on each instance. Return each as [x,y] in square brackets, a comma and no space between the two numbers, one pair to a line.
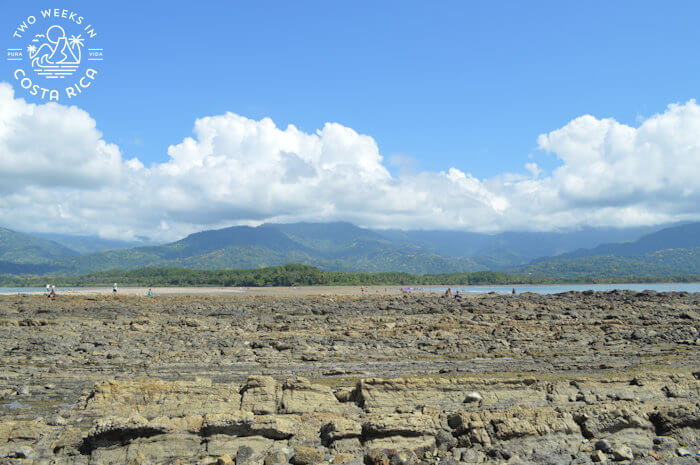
[330,246]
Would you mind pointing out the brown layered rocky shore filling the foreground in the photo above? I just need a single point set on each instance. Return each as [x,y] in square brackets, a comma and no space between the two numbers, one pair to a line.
[572,378]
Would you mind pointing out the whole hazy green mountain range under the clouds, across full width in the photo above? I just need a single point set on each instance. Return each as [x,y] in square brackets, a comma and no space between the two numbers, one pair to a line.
[651,251]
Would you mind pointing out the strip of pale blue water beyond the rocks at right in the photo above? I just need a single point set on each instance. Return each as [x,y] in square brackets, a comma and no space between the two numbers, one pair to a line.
[557,288]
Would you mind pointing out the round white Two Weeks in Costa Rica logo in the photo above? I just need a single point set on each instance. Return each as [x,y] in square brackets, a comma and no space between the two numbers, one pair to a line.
[55,54]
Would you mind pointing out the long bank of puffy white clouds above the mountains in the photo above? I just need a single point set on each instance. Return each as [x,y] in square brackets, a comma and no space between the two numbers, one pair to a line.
[58,174]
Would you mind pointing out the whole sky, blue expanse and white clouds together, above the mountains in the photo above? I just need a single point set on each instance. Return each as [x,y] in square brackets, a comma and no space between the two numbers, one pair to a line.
[458,97]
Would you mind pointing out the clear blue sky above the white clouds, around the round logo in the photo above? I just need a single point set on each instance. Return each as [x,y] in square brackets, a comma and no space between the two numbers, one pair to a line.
[465,84]
